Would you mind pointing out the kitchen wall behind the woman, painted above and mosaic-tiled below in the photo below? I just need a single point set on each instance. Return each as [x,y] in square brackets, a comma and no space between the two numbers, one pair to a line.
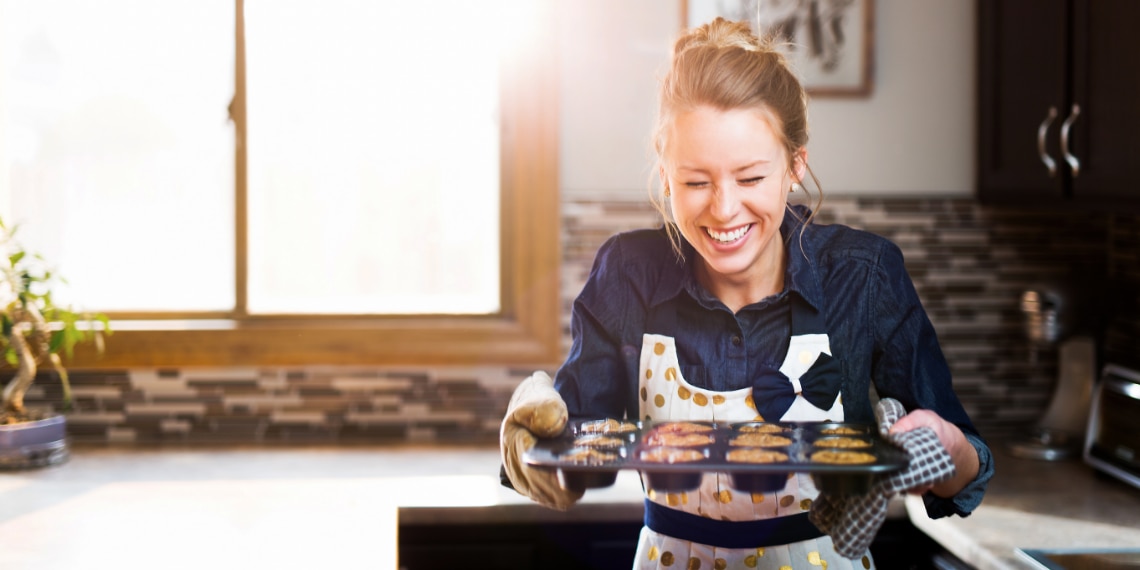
[899,162]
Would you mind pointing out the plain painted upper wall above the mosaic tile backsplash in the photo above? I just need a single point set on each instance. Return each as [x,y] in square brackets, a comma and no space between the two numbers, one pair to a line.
[914,135]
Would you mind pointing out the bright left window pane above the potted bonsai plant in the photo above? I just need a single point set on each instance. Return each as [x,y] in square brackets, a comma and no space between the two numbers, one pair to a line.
[118,149]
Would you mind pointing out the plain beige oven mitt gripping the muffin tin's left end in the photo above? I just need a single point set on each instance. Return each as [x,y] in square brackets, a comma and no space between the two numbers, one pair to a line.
[535,411]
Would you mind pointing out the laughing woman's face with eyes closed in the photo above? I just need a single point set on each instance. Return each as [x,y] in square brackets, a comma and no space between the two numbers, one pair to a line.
[729,181]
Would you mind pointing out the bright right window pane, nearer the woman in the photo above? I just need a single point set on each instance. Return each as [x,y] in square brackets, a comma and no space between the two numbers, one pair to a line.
[373,156]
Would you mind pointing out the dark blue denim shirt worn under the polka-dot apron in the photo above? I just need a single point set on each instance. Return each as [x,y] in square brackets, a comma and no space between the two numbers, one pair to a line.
[877,328]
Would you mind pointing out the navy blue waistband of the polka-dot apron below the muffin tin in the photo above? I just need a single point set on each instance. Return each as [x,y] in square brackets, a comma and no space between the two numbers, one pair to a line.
[729,534]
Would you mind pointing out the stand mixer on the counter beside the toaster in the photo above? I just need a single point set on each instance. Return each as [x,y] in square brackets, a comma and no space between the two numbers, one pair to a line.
[1060,434]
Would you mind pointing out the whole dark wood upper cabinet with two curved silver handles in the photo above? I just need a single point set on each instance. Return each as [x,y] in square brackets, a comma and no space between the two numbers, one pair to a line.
[1060,103]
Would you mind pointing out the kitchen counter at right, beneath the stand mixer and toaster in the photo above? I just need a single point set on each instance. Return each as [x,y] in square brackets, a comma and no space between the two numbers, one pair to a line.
[1037,504]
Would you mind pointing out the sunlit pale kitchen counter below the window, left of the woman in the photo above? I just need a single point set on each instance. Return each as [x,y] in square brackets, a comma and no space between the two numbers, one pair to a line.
[262,508]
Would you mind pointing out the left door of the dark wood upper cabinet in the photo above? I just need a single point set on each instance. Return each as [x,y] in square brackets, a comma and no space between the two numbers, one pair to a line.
[1022,64]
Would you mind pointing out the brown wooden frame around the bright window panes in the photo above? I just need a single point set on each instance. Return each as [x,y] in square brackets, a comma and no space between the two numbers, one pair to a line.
[526,331]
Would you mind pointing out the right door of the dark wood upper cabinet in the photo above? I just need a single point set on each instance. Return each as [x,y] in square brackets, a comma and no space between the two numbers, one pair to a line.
[1105,137]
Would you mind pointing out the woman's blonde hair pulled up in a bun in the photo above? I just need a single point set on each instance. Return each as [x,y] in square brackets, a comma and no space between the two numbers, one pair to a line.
[724,66]
